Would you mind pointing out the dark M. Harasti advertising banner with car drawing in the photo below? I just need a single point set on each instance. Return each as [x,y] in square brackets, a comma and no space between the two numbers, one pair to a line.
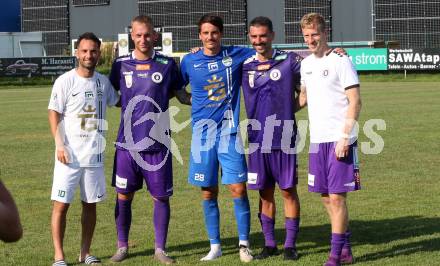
[35,66]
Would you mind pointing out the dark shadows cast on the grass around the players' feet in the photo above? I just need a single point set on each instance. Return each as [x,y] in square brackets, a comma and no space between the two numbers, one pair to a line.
[316,239]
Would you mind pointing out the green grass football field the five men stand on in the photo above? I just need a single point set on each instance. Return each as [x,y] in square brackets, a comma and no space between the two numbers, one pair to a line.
[395,219]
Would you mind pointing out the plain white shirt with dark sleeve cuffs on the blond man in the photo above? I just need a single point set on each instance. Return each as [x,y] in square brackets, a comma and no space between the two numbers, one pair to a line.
[326,80]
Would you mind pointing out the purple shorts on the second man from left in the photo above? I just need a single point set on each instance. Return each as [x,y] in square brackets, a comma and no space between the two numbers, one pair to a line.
[128,175]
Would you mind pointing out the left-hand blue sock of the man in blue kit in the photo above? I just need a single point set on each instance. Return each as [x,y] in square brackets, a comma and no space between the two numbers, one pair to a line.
[212,220]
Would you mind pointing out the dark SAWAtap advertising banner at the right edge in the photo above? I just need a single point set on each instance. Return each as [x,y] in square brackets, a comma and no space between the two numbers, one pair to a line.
[414,59]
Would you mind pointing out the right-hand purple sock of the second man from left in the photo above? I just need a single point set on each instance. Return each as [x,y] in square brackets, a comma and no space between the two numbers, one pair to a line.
[161,221]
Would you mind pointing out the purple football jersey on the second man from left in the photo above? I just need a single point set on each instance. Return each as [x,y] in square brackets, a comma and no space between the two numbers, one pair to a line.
[144,86]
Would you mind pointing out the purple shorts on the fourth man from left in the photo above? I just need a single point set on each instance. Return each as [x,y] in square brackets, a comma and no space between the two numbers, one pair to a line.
[266,169]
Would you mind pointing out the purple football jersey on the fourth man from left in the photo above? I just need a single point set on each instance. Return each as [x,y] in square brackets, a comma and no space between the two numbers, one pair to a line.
[269,92]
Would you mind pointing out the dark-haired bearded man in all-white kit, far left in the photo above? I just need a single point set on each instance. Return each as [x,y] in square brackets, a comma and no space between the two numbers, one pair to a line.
[77,110]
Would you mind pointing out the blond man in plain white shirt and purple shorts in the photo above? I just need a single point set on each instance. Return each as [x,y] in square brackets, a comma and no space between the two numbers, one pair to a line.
[330,86]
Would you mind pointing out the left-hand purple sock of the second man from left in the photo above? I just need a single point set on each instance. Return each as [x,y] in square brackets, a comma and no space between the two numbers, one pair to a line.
[123,221]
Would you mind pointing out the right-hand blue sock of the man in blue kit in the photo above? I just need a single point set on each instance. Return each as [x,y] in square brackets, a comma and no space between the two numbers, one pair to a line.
[243,217]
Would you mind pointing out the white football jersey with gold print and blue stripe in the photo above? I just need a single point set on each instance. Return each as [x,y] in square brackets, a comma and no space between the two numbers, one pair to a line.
[82,104]
